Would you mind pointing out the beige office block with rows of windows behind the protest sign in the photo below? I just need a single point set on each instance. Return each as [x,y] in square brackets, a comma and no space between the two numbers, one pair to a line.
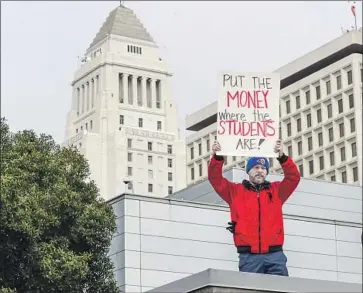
[320,116]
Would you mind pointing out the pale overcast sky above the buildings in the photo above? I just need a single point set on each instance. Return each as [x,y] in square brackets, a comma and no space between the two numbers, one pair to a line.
[40,42]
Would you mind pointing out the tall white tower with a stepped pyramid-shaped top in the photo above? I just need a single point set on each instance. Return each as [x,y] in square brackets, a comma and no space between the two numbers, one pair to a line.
[122,116]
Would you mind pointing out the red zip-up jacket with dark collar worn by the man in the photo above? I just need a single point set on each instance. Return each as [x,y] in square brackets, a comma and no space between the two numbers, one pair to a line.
[256,212]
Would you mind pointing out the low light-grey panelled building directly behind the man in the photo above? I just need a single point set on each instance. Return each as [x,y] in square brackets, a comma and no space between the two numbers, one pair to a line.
[161,240]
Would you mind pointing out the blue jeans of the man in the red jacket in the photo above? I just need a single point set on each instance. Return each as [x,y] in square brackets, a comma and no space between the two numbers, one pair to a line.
[273,263]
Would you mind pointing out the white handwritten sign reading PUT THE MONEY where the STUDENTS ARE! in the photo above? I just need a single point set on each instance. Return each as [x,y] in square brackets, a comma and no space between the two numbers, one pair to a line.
[248,114]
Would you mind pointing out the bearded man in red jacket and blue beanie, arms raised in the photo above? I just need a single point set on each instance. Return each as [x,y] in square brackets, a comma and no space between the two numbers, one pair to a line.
[256,210]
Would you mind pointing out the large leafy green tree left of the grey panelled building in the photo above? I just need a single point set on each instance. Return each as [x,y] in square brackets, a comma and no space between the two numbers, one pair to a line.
[55,231]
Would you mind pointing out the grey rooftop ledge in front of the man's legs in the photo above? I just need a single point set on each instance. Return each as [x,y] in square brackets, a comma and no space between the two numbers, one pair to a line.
[213,281]
